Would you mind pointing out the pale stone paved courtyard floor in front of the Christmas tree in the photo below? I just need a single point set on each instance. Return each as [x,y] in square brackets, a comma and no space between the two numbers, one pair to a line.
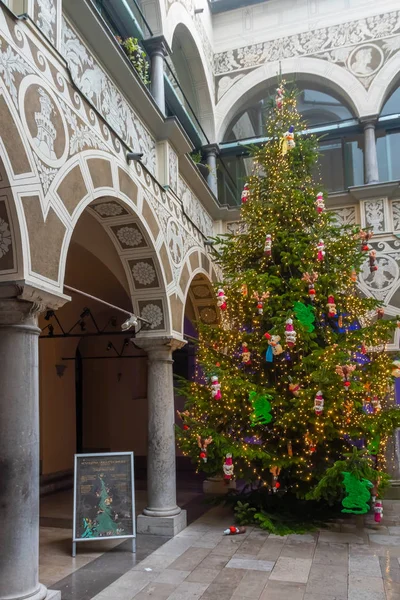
[342,563]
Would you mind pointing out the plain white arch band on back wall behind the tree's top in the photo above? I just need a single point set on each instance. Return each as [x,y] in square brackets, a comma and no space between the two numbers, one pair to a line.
[326,75]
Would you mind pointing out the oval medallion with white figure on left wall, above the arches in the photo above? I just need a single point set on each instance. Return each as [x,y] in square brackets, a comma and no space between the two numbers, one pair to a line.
[44,121]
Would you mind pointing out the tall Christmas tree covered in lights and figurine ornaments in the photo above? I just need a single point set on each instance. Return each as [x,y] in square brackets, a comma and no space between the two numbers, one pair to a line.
[296,373]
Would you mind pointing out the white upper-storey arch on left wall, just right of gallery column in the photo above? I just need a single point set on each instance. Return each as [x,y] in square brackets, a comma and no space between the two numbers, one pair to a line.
[189,61]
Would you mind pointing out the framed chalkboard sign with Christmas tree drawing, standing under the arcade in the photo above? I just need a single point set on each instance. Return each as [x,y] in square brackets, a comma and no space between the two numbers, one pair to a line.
[104,500]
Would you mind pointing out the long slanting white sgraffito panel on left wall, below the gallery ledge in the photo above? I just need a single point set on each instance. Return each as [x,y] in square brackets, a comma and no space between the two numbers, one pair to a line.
[98,88]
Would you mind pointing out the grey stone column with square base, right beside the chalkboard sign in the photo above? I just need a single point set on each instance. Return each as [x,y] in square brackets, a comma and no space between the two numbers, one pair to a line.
[162,515]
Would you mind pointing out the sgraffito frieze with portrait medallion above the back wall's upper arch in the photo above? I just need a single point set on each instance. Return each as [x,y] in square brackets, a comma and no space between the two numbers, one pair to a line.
[362,47]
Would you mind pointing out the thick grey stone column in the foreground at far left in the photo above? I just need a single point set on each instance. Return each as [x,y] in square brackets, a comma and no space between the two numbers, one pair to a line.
[19,452]
